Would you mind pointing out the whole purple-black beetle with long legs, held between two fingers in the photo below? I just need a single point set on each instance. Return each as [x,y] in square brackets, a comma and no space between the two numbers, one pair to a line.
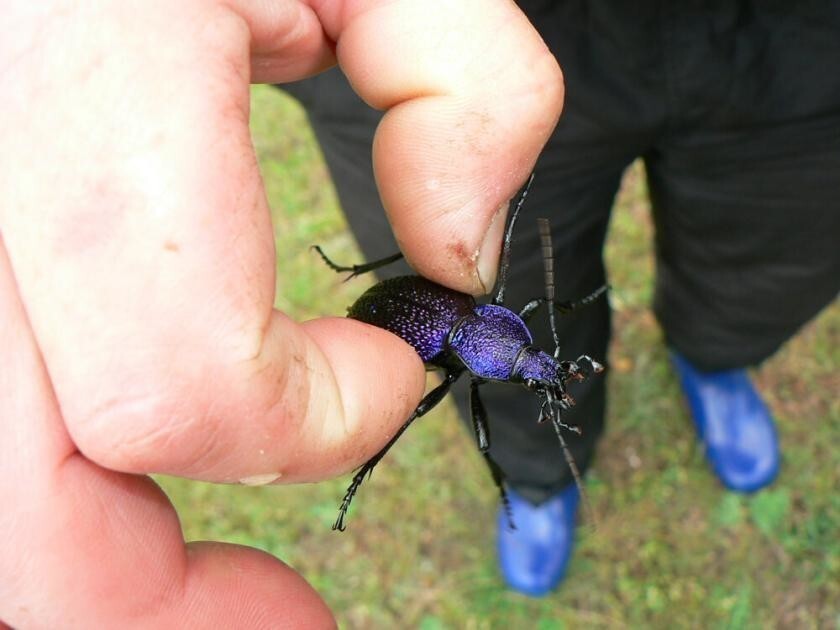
[451,332]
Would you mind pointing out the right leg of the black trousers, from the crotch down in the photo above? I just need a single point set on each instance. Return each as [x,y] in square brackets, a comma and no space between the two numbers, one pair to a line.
[748,241]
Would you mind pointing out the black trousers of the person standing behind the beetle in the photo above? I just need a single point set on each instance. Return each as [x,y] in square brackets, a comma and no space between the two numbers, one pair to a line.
[735,109]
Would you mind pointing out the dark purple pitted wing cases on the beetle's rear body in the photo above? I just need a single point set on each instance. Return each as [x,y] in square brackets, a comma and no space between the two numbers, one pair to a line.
[415,309]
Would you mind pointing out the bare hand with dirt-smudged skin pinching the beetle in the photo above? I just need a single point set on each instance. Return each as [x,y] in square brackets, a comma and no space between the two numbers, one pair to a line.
[137,277]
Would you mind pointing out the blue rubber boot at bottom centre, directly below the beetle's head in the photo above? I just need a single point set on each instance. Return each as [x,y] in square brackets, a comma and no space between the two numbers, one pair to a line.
[534,556]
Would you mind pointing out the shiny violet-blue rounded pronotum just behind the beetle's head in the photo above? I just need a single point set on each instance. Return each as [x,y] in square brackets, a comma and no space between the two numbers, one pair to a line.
[489,340]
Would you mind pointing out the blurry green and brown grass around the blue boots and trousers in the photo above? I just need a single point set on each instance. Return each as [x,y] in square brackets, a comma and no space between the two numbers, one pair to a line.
[671,548]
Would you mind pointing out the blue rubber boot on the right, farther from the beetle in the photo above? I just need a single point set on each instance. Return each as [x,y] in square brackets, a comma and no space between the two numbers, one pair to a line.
[734,425]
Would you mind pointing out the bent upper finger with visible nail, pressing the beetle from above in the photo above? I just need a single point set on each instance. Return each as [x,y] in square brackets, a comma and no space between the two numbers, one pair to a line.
[472,94]
